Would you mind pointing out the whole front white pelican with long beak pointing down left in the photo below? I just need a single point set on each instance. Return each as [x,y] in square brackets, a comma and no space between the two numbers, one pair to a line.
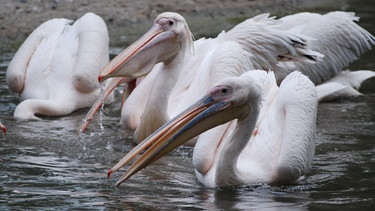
[272,139]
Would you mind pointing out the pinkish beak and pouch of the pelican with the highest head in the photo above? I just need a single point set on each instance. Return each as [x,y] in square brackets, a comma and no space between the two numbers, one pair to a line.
[138,59]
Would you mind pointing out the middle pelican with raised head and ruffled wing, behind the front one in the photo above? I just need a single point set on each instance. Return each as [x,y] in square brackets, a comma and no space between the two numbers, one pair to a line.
[184,76]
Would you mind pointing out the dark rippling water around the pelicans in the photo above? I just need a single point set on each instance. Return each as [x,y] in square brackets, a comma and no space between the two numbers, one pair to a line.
[47,164]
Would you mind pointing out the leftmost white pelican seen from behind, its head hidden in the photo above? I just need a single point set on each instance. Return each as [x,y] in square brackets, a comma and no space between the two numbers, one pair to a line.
[55,70]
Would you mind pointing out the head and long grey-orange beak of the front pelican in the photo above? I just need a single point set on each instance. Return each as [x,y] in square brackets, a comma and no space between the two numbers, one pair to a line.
[230,99]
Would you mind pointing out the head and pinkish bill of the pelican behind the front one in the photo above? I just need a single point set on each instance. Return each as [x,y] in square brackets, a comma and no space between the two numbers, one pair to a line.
[168,36]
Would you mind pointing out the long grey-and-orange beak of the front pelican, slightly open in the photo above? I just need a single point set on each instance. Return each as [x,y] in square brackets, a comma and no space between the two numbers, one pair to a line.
[203,115]
